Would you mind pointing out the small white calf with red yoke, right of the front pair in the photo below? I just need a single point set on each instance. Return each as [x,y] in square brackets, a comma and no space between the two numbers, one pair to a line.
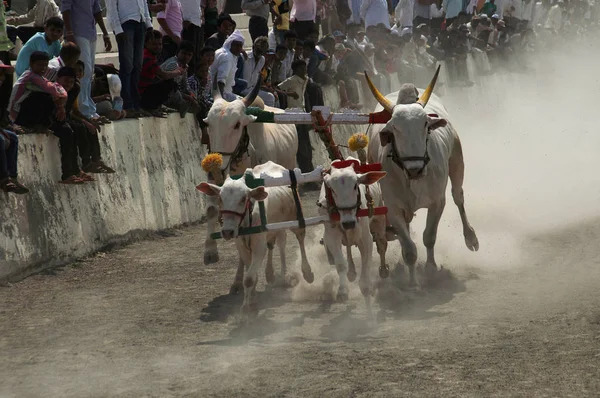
[349,194]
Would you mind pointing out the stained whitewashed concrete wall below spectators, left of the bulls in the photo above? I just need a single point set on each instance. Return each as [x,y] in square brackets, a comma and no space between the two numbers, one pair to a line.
[158,167]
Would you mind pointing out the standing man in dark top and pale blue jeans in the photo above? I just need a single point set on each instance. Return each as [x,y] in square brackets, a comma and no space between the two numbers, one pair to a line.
[80,18]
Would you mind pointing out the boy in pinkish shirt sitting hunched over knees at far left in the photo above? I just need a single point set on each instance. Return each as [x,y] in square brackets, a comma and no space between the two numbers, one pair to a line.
[35,101]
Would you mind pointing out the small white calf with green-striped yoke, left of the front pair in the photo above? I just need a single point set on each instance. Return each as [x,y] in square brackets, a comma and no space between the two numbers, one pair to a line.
[239,209]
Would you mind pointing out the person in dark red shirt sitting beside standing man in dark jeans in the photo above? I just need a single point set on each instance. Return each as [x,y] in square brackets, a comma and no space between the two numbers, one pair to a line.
[156,85]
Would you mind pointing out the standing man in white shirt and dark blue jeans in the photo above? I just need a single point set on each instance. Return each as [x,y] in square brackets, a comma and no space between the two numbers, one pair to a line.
[130,20]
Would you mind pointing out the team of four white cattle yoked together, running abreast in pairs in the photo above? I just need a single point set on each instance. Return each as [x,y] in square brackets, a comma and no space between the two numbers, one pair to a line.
[418,149]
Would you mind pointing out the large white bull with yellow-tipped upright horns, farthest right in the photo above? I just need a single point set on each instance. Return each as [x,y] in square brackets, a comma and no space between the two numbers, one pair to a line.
[419,149]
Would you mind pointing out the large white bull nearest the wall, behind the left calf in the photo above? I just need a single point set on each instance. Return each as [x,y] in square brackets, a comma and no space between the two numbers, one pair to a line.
[227,123]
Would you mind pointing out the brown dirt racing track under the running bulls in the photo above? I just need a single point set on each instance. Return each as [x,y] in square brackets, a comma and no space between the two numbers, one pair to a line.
[151,320]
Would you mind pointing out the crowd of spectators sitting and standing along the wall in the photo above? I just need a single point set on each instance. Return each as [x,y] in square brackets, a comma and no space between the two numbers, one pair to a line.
[62,90]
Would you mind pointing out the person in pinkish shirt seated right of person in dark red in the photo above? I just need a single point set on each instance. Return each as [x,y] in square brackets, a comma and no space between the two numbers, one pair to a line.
[182,99]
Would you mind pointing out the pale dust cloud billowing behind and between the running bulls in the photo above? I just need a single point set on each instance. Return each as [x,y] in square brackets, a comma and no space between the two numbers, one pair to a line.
[530,144]
